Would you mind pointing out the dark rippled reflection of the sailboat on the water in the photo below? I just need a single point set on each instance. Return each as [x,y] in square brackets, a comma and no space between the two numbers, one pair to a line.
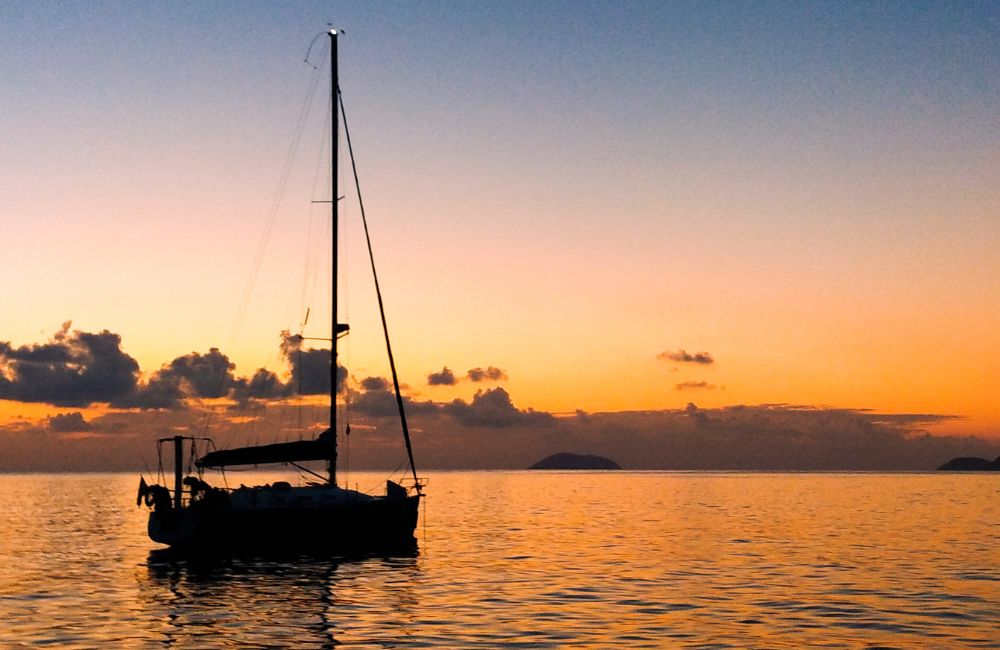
[299,600]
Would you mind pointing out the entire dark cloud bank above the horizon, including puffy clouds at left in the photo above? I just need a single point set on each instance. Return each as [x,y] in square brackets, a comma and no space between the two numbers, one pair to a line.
[77,369]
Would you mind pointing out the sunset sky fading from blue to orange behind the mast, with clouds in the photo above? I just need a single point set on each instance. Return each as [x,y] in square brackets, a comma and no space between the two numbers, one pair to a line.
[619,208]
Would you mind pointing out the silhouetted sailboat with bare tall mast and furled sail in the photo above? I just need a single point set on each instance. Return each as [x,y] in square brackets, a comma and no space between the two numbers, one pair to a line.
[278,516]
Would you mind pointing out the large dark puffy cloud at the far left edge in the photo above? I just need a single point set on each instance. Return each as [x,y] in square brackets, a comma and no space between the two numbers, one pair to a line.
[73,369]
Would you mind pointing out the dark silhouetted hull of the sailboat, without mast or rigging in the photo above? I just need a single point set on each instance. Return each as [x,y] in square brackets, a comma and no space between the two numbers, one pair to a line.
[382,522]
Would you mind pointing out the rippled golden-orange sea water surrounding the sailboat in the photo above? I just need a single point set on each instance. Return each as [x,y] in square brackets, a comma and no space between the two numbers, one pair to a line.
[535,560]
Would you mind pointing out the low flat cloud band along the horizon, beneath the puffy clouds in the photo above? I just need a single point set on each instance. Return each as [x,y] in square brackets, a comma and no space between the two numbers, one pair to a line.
[489,431]
